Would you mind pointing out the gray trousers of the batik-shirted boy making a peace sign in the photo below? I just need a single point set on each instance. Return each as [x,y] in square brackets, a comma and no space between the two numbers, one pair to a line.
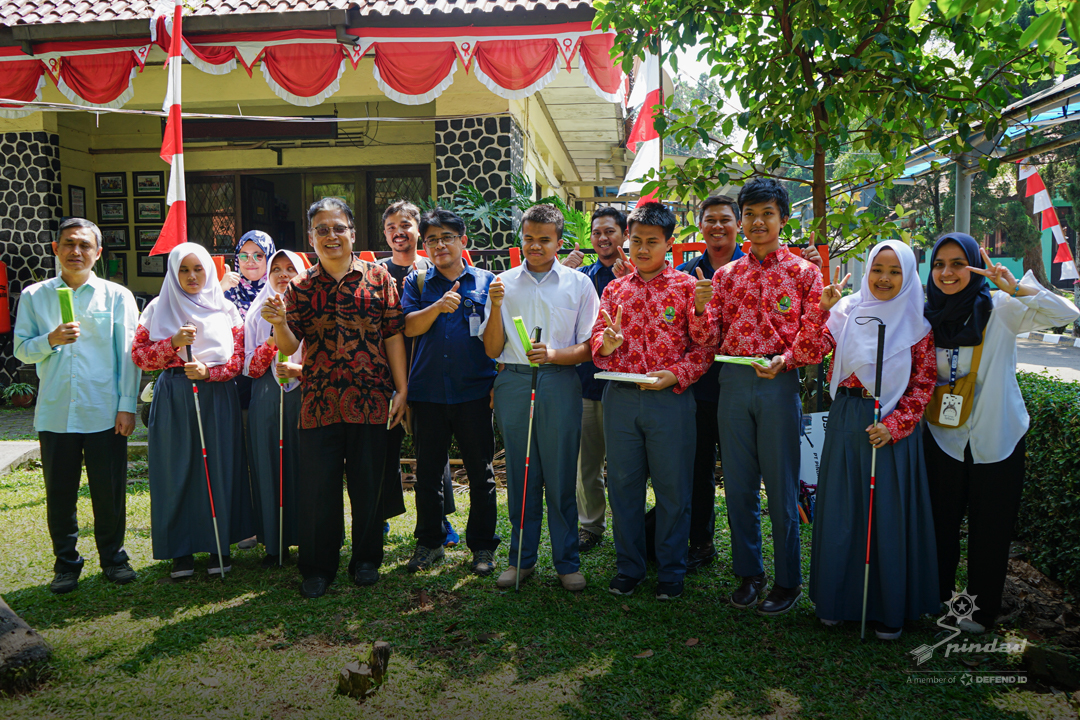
[646,431]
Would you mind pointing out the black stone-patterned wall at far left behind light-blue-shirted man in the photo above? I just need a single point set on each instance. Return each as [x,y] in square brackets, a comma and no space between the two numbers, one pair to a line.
[31,208]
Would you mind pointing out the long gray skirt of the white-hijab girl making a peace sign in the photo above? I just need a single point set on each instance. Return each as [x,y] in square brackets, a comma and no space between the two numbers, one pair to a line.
[903,580]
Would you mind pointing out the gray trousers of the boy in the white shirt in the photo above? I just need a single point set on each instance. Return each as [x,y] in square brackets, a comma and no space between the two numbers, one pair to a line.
[557,433]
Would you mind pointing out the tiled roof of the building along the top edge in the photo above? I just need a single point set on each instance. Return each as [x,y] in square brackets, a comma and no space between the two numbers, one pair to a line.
[47,12]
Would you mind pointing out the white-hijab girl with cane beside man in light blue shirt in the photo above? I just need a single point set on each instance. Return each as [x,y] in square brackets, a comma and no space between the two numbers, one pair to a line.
[192,311]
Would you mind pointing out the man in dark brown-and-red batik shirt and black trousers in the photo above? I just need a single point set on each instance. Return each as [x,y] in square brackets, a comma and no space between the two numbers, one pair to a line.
[355,389]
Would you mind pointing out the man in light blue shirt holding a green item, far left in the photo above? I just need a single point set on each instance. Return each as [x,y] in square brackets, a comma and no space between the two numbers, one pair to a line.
[87,400]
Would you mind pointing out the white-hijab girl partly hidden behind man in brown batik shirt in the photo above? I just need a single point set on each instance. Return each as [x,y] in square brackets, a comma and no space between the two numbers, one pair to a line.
[261,363]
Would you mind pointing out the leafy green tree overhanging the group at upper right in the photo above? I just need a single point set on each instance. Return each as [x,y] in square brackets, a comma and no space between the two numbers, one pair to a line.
[822,78]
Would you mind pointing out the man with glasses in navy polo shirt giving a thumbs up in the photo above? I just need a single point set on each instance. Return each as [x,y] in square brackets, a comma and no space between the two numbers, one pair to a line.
[450,391]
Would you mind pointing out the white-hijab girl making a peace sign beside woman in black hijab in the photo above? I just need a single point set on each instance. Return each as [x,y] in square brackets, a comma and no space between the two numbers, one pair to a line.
[903,580]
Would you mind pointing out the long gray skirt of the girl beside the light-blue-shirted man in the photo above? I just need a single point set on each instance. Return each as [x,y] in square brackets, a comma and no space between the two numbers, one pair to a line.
[180,502]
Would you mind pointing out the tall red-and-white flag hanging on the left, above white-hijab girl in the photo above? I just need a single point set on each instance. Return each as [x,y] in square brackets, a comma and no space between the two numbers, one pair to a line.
[175,230]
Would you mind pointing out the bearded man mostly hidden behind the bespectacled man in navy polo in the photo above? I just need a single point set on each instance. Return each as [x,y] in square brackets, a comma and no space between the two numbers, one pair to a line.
[400,227]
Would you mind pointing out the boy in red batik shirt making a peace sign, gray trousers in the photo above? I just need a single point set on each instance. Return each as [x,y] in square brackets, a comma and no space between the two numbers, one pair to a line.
[650,429]
